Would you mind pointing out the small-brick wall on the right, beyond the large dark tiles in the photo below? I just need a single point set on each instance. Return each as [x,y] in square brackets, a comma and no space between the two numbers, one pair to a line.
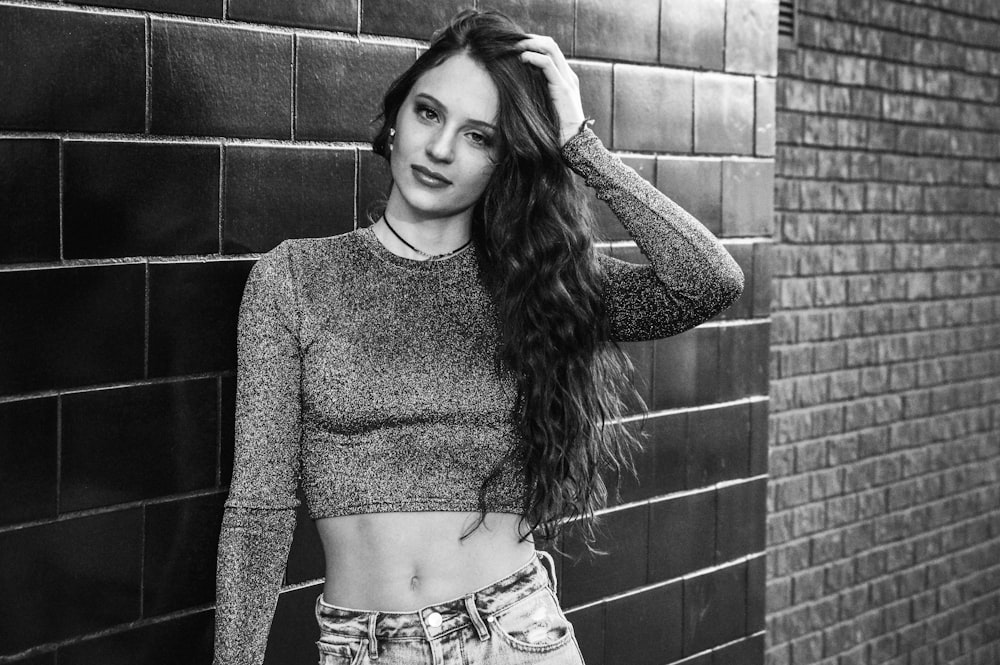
[884,505]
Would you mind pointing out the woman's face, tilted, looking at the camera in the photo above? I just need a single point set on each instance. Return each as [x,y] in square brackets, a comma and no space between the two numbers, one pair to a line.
[444,144]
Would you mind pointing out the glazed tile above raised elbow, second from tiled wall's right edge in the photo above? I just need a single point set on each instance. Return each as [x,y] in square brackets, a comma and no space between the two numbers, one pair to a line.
[695,184]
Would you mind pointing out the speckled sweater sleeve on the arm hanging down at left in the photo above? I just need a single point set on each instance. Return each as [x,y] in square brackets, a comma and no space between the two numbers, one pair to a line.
[260,511]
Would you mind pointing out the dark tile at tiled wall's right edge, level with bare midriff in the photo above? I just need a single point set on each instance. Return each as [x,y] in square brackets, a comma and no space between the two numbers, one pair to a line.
[740,522]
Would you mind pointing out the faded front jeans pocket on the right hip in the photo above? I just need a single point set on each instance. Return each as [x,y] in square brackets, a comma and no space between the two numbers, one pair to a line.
[534,624]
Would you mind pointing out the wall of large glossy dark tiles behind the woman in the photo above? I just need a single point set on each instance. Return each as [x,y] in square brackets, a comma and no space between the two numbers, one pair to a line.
[150,150]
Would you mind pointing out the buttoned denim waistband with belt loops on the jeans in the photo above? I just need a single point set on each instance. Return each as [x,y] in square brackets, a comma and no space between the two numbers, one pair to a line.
[436,619]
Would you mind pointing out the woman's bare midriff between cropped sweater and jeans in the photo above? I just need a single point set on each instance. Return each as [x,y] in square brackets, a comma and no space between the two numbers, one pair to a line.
[399,562]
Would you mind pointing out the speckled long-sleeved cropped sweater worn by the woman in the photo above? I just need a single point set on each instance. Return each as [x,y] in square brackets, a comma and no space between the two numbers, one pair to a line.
[368,379]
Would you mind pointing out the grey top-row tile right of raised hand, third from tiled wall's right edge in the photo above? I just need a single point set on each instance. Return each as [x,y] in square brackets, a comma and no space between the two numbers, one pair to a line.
[610,30]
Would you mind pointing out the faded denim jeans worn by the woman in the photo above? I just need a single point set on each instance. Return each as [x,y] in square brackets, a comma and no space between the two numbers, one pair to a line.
[513,621]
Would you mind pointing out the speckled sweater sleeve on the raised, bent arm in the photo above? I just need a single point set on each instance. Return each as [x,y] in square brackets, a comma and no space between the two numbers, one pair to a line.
[690,277]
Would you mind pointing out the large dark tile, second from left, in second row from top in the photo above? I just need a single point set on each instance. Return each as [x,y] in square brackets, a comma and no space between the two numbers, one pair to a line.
[247,90]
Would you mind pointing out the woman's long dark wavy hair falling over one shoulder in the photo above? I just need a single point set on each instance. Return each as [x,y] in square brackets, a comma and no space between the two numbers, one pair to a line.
[535,235]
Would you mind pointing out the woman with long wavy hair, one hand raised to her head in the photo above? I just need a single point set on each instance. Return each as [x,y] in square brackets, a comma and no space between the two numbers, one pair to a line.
[443,383]
